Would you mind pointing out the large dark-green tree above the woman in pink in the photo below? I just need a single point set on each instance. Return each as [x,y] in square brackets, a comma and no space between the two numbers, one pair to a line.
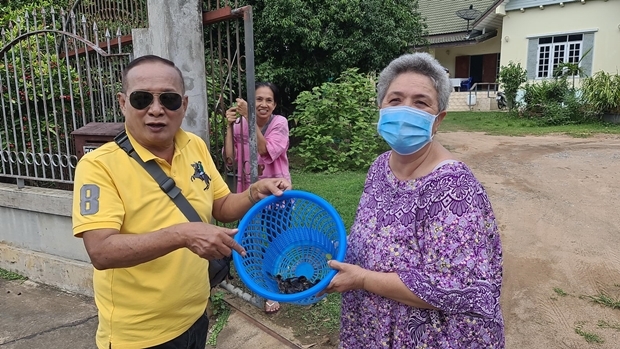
[300,44]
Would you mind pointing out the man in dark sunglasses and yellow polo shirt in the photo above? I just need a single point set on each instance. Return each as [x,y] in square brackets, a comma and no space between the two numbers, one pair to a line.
[151,265]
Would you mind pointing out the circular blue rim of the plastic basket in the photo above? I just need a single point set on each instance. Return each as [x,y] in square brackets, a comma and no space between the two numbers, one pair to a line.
[290,194]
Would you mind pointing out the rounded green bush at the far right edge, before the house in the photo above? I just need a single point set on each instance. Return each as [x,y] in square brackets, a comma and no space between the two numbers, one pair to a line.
[601,94]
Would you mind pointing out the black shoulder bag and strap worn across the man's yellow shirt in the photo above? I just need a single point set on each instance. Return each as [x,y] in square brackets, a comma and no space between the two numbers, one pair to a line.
[219,269]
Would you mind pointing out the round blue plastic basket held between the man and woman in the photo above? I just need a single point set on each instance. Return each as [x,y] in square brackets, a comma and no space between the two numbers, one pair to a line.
[291,235]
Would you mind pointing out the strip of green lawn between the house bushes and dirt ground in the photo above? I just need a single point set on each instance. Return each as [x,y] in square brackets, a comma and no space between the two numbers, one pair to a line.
[502,123]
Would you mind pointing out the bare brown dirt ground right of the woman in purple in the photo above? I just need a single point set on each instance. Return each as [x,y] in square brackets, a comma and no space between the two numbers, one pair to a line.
[555,198]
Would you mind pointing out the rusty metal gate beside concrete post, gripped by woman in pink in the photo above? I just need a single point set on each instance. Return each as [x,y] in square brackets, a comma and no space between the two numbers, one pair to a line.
[229,50]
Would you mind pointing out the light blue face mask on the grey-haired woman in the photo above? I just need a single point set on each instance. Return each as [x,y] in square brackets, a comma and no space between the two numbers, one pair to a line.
[405,129]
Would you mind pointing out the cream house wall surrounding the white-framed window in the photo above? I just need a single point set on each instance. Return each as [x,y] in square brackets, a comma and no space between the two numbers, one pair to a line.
[599,18]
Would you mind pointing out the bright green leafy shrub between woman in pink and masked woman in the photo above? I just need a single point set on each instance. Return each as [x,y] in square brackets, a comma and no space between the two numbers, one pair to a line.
[336,123]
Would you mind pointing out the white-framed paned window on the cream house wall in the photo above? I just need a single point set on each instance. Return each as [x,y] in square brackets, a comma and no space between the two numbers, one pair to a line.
[553,50]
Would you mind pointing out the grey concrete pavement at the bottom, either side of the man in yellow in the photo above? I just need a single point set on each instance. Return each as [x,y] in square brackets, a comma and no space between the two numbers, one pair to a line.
[37,316]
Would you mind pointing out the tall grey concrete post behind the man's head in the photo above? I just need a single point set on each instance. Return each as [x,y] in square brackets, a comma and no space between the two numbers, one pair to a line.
[175,32]
